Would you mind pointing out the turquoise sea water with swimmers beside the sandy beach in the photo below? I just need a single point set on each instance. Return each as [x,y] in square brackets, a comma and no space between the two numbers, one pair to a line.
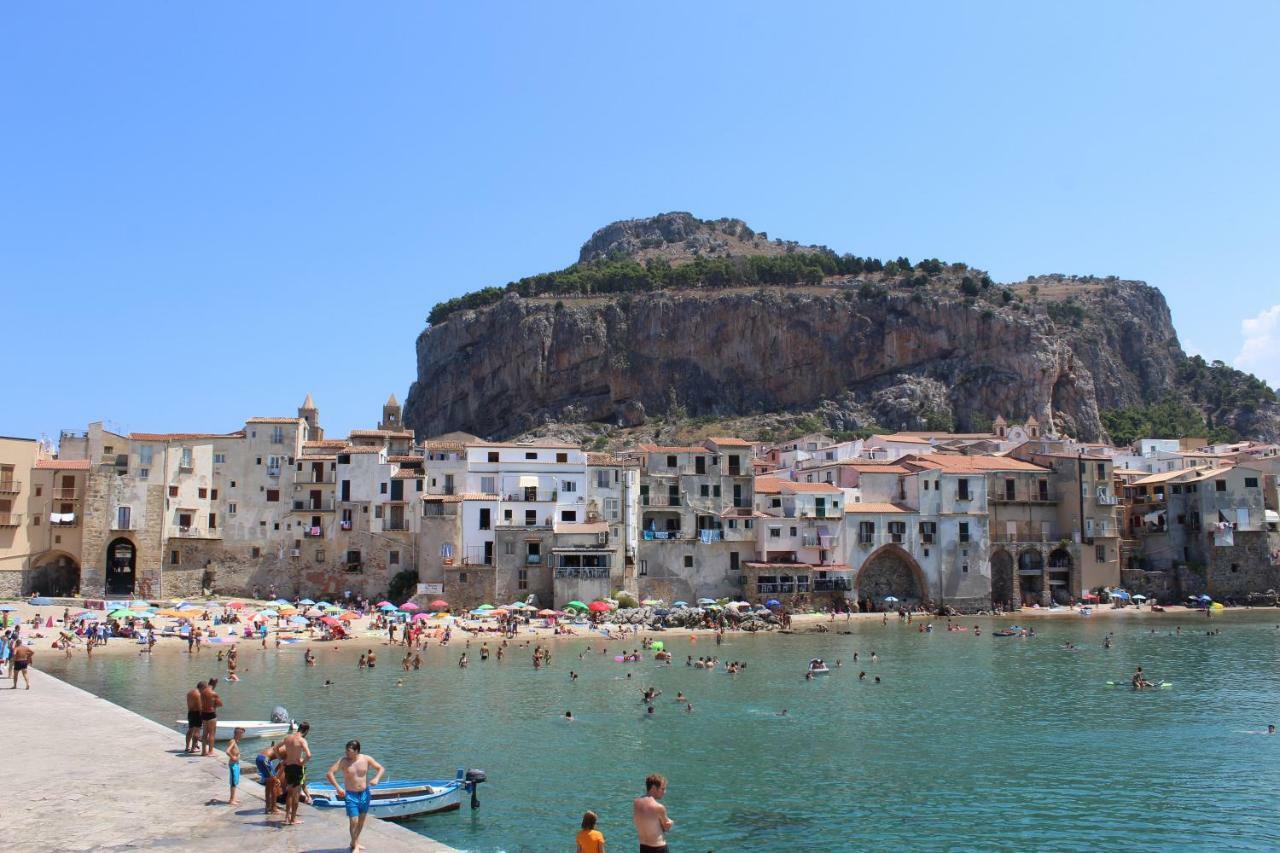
[968,742]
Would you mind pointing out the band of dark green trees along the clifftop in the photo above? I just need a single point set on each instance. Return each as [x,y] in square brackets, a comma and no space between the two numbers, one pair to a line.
[628,276]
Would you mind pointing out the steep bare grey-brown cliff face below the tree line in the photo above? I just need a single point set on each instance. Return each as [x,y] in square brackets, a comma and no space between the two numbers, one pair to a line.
[903,361]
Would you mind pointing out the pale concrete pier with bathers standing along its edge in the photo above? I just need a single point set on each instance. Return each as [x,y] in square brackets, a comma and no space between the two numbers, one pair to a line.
[98,777]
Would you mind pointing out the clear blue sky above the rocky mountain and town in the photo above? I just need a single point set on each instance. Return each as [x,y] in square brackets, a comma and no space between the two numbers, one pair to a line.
[209,211]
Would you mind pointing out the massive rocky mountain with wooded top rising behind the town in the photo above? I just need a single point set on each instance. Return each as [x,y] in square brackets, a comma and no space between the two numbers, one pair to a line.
[697,322]
